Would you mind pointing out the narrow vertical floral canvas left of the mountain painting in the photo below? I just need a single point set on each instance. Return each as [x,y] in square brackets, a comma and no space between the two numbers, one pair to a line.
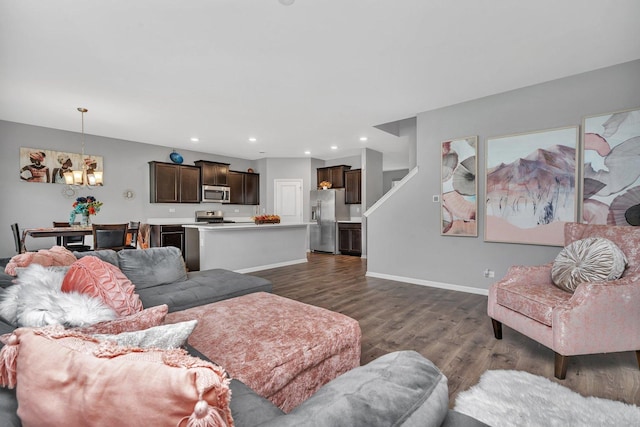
[459,187]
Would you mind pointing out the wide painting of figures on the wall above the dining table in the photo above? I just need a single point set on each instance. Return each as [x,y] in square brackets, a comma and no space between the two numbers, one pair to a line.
[47,166]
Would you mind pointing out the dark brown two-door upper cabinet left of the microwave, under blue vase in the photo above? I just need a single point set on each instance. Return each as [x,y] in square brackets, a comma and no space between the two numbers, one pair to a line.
[171,183]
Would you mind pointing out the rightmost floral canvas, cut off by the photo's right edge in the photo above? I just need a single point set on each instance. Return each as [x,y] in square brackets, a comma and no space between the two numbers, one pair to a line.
[611,174]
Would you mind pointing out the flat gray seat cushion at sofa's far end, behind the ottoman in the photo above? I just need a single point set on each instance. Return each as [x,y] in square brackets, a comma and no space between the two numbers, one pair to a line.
[202,287]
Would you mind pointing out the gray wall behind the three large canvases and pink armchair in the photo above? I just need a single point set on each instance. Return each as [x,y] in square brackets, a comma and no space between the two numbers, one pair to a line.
[404,234]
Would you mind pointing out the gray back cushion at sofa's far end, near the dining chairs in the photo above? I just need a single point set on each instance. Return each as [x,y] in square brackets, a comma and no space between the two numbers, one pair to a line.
[153,266]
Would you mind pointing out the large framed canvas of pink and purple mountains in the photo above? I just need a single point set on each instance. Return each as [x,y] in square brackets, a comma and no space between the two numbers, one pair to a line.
[531,186]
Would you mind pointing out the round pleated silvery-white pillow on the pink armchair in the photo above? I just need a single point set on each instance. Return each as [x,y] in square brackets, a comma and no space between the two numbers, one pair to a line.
[593,259]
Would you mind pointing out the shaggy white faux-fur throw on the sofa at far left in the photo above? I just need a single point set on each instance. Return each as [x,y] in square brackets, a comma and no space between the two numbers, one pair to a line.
[36,300]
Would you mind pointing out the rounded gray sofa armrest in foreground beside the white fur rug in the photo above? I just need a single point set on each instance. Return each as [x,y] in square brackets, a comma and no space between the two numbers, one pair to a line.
[400,389]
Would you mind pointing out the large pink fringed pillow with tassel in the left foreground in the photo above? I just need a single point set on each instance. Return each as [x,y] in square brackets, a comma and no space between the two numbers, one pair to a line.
[63,378]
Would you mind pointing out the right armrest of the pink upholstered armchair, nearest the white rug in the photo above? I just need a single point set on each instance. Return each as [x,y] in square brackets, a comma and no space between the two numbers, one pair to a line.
[600,317]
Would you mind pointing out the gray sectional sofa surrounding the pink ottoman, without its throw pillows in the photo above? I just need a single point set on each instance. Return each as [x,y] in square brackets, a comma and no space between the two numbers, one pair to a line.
[399,389]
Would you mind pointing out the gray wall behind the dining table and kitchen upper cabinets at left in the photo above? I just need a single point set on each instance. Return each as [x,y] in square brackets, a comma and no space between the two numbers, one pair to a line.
[126,168]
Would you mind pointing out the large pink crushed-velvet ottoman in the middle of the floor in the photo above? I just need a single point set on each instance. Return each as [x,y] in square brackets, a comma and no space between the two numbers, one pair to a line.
[283,349]
